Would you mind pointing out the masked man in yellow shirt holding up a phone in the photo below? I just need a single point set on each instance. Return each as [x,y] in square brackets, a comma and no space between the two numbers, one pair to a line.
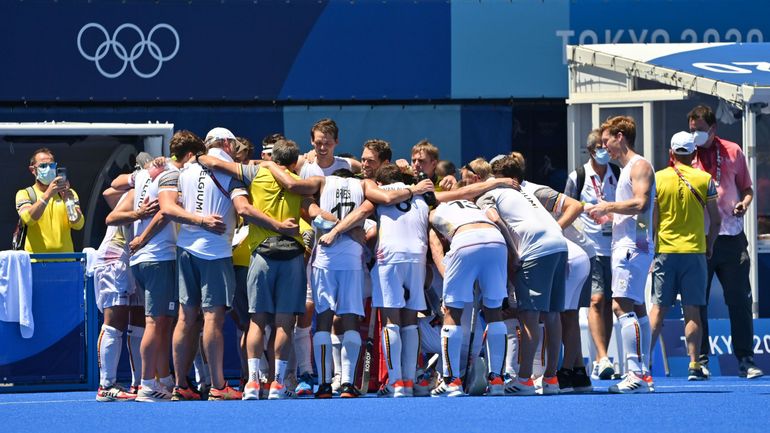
[45,214]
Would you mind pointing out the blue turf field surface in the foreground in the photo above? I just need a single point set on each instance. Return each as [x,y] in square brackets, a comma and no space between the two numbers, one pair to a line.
[719,405]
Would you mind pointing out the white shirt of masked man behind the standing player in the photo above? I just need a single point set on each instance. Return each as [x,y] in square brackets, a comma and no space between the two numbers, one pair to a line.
[594,187]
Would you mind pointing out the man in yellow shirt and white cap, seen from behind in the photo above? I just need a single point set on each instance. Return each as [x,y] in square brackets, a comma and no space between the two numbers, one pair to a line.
[684,195]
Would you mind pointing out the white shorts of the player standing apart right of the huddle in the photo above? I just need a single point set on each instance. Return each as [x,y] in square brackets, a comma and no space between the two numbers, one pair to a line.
[629,273]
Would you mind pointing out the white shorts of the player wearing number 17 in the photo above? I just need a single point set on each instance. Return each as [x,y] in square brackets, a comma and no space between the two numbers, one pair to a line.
[340,291]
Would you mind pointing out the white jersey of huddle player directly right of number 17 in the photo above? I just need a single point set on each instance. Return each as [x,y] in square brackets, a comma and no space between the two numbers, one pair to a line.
[402,235]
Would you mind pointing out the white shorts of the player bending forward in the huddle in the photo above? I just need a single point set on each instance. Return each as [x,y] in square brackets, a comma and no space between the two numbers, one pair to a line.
[476,255]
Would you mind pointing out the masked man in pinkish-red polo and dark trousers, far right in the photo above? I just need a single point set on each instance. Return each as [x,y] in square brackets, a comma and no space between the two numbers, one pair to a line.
[725,161]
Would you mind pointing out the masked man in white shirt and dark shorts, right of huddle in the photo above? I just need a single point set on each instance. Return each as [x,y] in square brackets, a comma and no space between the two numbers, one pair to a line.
[597,179]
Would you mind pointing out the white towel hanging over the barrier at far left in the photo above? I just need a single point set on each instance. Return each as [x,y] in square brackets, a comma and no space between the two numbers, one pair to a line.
[16,290]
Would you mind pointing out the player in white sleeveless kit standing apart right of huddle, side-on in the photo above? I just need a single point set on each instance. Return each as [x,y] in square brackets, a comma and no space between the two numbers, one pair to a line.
[632,248]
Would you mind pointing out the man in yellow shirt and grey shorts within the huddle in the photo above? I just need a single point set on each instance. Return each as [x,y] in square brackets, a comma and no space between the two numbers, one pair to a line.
[272,300]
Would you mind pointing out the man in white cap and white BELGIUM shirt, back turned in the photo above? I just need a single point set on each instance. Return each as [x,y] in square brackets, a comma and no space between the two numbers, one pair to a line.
[204,261]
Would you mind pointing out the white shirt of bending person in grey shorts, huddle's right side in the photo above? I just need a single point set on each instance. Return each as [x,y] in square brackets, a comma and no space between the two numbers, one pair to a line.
[535,232]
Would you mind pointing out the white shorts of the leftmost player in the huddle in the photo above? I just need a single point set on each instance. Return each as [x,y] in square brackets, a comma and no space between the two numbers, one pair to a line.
[114,286]
